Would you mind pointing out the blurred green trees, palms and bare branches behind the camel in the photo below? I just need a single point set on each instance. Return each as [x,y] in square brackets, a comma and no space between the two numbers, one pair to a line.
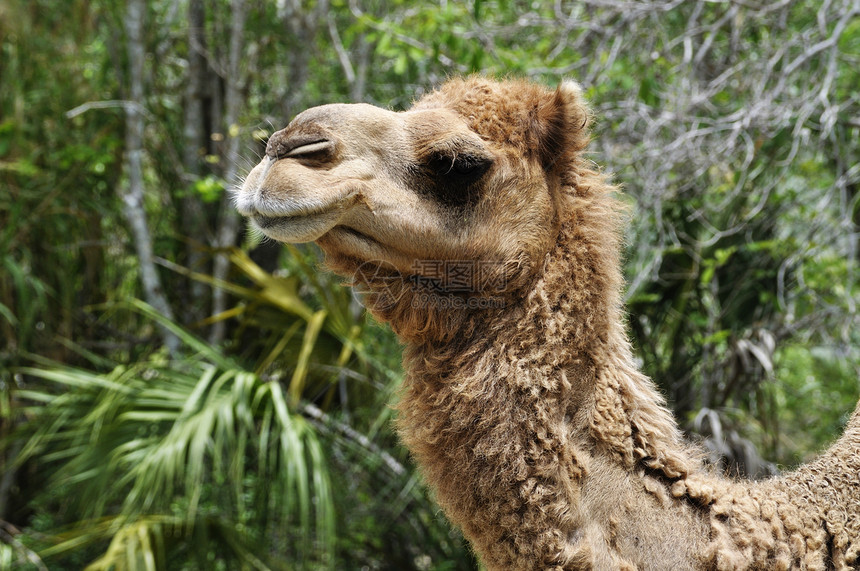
[175,394]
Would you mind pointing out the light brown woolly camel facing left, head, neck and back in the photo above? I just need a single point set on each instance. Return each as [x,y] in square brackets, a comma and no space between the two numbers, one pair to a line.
[475,227]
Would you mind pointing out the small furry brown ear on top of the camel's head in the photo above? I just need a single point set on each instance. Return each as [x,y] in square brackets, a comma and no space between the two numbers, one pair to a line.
[560,124]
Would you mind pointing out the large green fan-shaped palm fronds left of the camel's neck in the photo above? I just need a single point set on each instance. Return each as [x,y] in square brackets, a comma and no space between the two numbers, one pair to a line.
[170,446]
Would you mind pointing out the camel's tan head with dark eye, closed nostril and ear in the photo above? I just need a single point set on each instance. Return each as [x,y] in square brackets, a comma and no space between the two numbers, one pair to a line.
[470,174]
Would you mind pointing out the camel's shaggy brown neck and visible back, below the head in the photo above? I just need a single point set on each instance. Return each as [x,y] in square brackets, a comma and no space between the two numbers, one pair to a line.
[548,447]
